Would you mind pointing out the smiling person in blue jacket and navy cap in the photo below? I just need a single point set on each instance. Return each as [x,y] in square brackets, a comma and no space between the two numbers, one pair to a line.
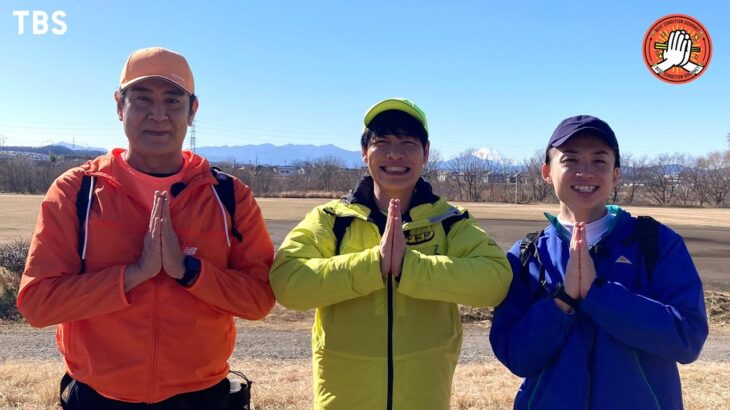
[602,305]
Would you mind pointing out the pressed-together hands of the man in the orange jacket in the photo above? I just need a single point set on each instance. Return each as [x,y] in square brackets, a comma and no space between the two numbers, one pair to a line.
[161,248]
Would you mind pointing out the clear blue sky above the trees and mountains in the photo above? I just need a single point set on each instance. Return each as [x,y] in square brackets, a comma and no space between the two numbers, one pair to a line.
[488,74]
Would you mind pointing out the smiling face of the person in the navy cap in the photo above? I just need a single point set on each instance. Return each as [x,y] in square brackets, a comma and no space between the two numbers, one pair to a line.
[583,174]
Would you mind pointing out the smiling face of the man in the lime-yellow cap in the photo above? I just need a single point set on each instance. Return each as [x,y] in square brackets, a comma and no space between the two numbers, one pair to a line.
[395,163]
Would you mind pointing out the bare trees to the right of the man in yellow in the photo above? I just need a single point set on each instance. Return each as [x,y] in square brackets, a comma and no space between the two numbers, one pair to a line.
[665,180]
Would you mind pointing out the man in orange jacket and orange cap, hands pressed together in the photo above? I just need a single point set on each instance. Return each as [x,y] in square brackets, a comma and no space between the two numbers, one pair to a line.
[145,297]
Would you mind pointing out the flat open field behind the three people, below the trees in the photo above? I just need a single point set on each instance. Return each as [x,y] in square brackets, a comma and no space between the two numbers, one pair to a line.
[706,231]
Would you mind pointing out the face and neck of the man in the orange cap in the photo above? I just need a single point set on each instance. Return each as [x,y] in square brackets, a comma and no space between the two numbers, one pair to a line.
[156,114]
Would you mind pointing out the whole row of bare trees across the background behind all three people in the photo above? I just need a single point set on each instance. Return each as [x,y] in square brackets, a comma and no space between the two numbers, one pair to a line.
[665,180]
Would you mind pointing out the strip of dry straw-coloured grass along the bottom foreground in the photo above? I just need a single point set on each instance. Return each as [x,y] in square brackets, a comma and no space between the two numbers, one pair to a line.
[287,385]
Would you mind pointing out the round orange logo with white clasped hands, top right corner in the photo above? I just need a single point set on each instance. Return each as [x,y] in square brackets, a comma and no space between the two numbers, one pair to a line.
[677,49]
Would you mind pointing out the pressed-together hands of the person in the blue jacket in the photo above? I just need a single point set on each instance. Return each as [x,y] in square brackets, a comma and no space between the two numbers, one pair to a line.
[580,272]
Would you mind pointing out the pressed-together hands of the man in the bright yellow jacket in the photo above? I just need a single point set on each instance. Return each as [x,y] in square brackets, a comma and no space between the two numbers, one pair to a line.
[393,242]
